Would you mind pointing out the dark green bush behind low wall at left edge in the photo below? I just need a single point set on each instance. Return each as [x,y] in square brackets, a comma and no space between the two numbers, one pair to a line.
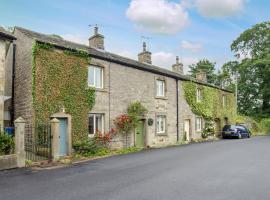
[7,144]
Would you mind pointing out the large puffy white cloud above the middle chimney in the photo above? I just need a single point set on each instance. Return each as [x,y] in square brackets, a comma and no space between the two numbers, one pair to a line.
[157,16]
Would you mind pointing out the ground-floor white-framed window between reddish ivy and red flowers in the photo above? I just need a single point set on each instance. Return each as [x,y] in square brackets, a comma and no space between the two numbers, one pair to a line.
[95,123]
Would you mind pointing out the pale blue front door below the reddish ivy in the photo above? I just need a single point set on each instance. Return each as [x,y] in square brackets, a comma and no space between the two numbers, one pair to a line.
[63,136]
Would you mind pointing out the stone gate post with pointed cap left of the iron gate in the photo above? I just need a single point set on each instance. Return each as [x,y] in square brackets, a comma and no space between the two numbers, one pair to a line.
[19,141]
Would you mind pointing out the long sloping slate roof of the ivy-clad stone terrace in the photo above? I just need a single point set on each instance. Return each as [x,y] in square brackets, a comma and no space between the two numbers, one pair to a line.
[111,57]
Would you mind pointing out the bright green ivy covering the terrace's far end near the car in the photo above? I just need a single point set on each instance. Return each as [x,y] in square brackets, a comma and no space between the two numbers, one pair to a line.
[211,106]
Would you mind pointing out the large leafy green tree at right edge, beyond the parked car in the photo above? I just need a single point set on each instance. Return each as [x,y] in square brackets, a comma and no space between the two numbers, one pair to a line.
[254,70]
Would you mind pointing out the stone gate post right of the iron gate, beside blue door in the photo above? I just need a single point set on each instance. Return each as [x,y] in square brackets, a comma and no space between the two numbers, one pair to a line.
[55,138]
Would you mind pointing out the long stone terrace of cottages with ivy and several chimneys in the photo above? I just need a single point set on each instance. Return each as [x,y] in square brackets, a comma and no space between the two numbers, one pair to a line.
[52,74]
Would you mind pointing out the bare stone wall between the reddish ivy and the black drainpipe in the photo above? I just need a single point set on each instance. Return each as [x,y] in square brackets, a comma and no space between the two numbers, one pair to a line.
[124,85]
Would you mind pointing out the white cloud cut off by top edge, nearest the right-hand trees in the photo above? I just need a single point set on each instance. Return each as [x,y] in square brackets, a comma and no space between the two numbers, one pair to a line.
[219,8]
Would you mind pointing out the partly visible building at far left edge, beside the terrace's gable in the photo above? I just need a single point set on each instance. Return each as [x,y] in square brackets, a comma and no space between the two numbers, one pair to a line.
[6,68]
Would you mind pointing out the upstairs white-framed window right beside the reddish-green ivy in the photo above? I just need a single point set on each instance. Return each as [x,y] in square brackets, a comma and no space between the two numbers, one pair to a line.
[95,76]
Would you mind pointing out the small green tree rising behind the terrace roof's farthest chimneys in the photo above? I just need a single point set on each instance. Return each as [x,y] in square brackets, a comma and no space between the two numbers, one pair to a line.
[206,66]
